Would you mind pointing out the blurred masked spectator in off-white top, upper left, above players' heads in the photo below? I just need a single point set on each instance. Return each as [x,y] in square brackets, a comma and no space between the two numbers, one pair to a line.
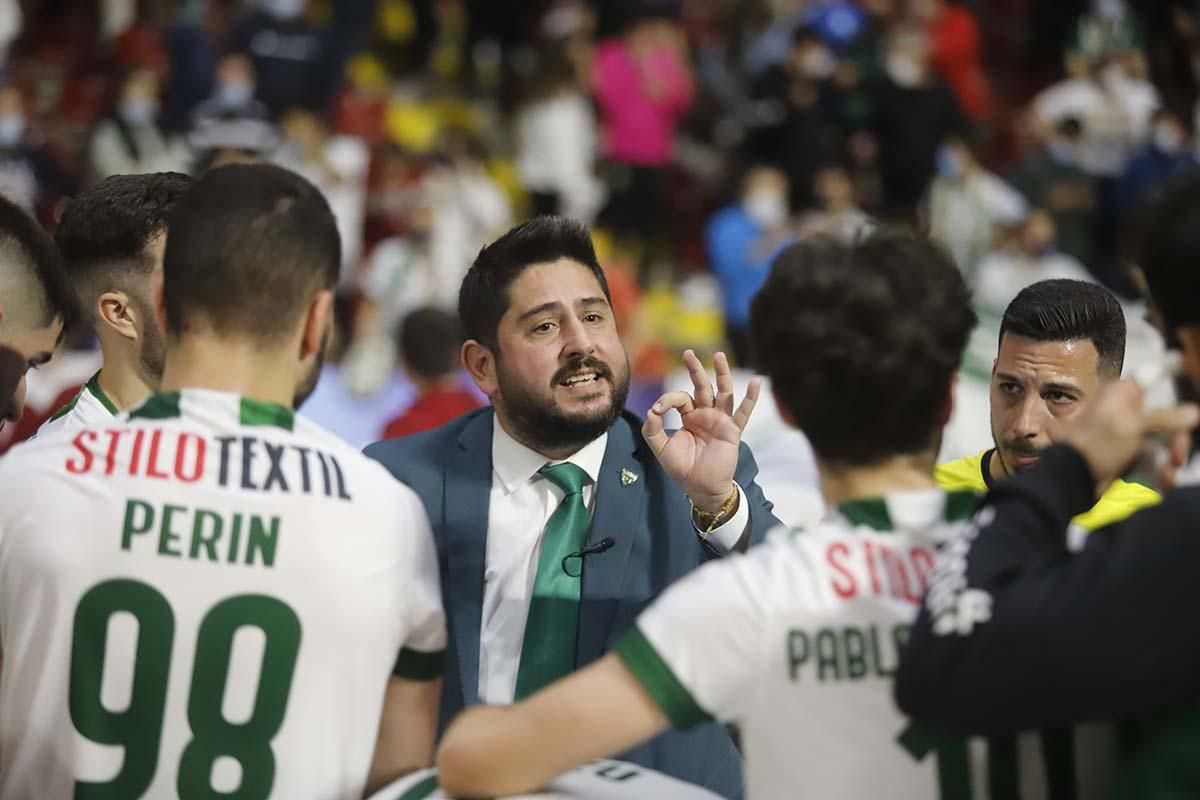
[130,142]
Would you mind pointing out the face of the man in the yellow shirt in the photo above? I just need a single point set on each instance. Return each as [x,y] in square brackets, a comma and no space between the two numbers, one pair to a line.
[1037,389]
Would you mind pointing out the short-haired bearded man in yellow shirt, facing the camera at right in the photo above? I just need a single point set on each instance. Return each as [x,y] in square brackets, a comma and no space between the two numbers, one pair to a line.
[1061,342]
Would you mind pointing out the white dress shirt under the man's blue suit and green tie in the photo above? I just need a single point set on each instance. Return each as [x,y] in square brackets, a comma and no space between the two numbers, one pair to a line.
[520,507]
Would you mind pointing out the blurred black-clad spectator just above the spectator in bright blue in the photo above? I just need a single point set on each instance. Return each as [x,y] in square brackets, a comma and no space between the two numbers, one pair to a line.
[793,122]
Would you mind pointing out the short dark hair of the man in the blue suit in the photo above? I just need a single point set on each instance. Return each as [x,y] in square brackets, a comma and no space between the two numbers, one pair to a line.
[484,297]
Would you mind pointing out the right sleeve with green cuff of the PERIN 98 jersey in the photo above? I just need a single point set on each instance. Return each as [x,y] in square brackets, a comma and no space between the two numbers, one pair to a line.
[422,655]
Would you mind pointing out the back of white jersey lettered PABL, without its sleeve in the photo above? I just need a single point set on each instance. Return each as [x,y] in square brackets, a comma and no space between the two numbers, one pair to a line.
[839,600]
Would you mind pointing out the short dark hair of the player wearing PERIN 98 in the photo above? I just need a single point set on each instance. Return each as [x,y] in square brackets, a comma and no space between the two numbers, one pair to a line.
[249,246]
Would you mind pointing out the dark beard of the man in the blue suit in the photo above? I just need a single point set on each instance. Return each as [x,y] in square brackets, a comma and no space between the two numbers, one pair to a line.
[541,425]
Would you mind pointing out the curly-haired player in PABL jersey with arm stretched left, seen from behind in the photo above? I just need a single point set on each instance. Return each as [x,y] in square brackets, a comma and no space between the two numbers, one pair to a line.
[796,641]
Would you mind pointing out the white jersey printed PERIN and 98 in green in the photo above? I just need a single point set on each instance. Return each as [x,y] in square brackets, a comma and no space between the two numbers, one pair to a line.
[206,597]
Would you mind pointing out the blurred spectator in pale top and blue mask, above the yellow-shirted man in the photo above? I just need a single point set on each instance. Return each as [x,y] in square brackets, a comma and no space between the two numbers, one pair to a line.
[968,204]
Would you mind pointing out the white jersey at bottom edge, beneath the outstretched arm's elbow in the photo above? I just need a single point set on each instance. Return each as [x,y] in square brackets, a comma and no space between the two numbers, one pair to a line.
[604,780]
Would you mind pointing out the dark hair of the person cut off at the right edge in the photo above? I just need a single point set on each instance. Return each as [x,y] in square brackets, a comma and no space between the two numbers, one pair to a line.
[1171,246]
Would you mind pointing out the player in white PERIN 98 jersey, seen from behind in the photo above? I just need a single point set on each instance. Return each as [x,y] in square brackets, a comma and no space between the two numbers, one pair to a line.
[213,596]
